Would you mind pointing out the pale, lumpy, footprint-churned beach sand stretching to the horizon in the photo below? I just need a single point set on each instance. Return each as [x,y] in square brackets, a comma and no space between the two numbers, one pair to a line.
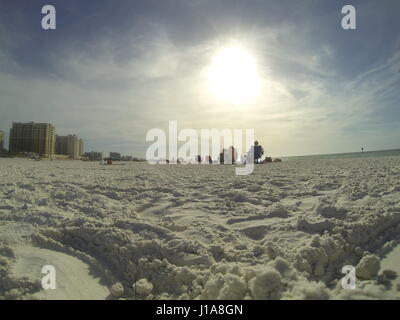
[199,231]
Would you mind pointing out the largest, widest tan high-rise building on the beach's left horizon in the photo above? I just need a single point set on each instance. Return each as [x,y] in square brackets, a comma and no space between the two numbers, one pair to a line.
[39,138]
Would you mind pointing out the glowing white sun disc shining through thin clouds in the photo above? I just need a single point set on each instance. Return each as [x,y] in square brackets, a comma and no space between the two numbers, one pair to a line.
[232,76]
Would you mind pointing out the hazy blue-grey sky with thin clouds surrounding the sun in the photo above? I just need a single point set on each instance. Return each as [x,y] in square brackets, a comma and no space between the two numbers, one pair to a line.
[113,70]
